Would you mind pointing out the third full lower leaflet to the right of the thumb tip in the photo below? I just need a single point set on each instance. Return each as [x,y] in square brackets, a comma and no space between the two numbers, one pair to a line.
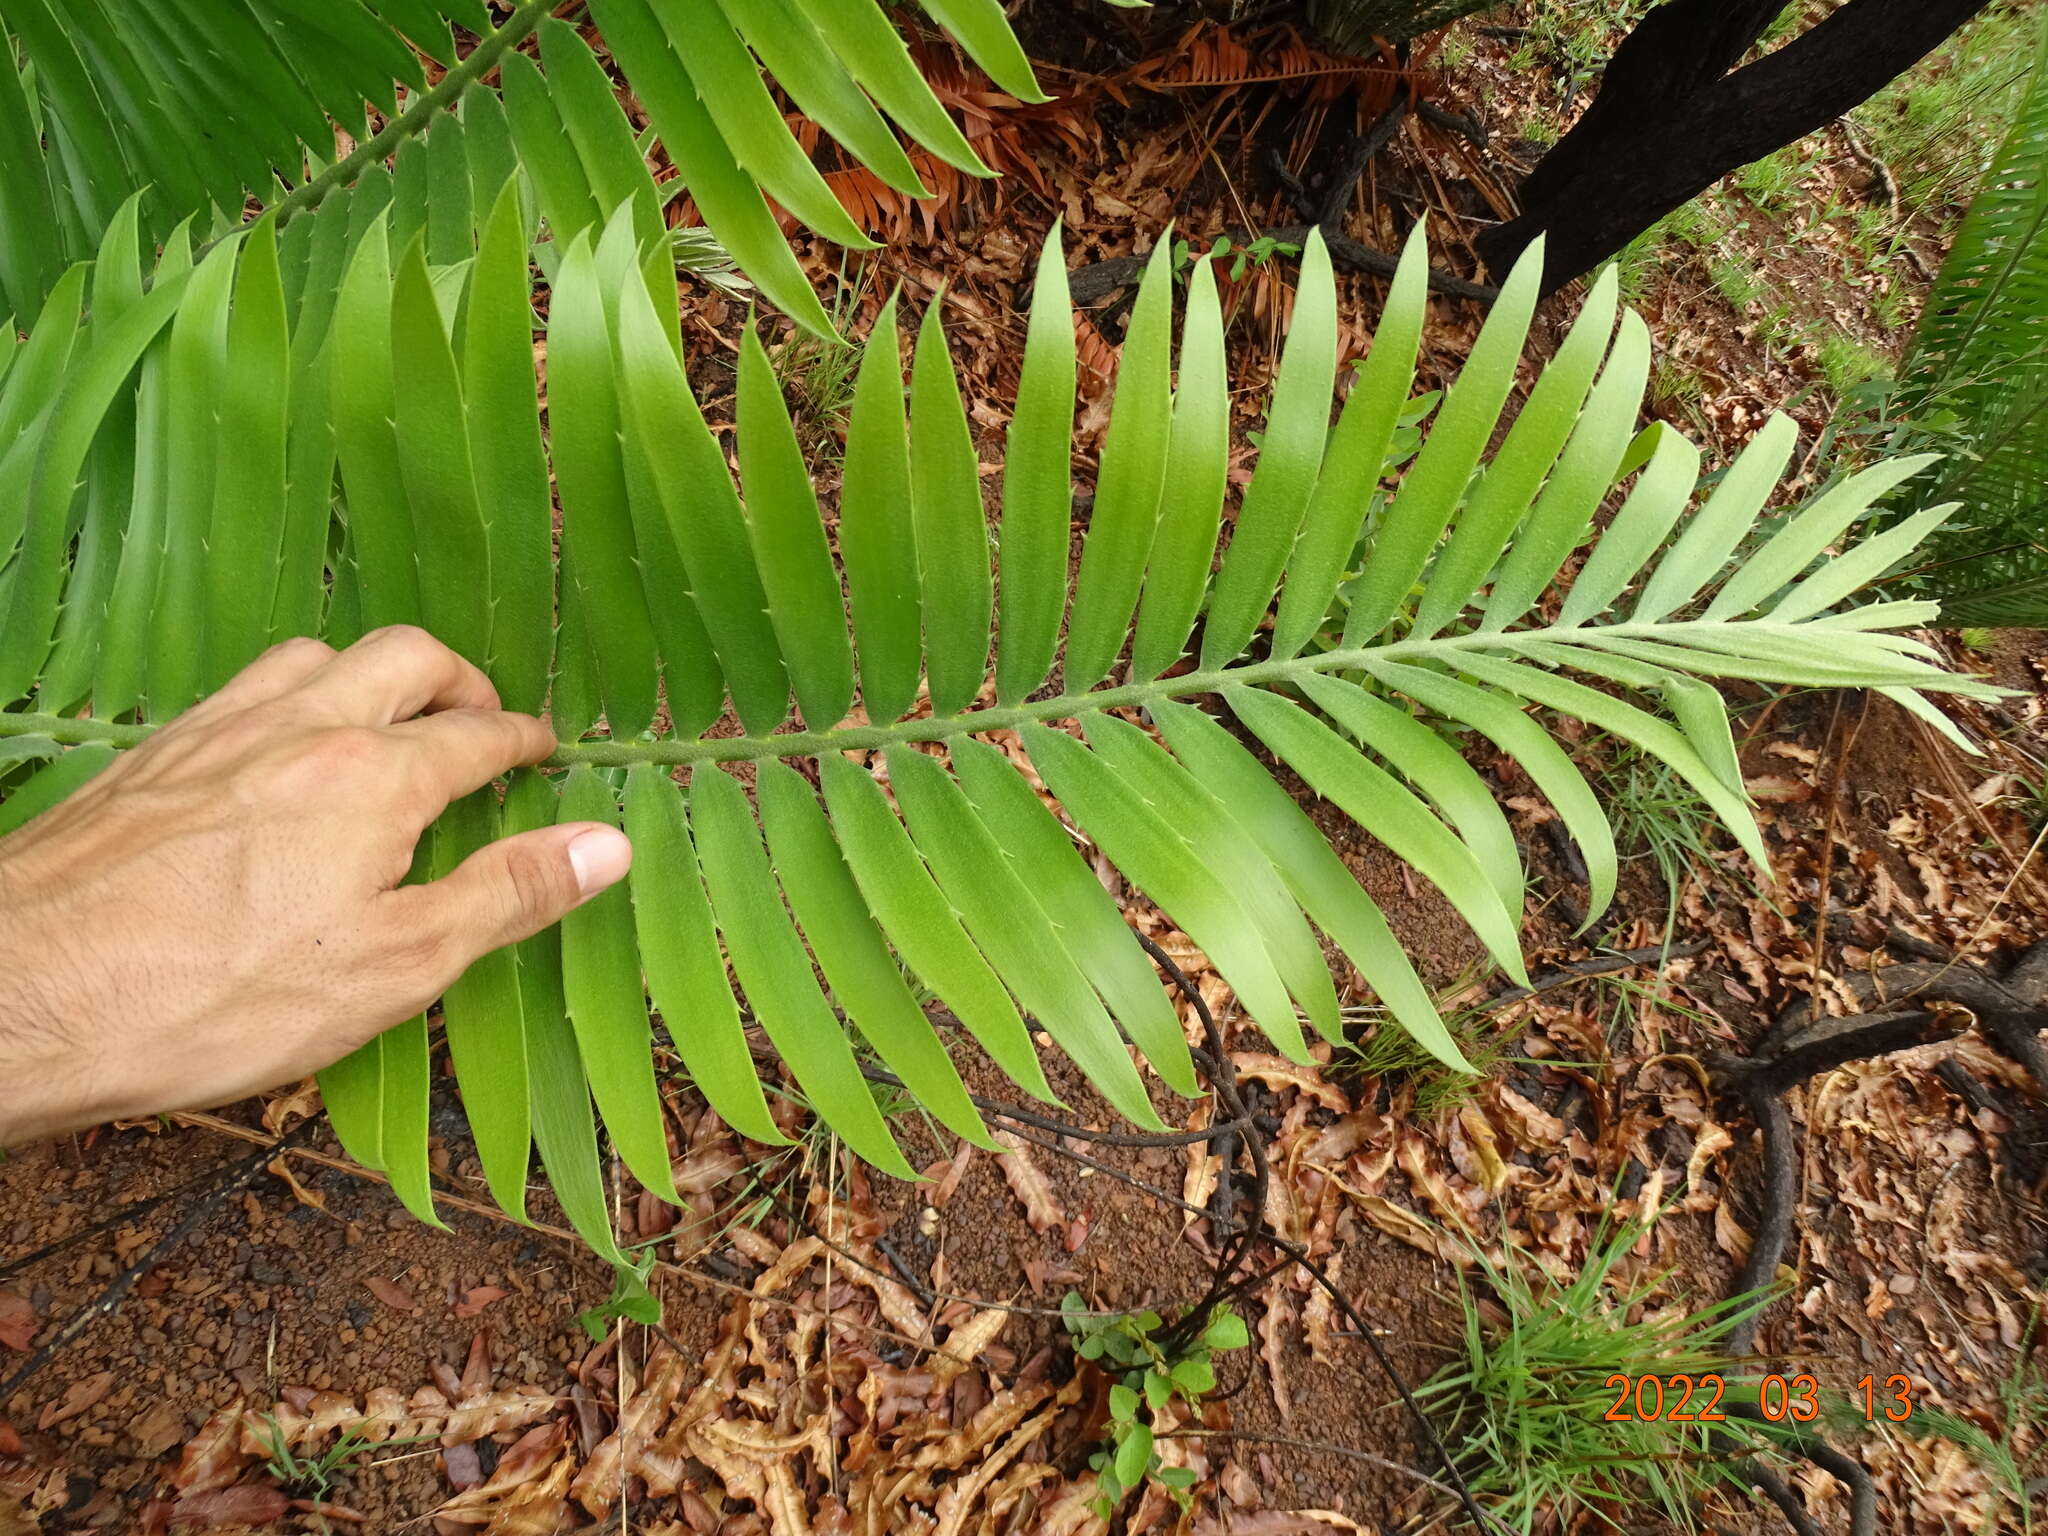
[857,964]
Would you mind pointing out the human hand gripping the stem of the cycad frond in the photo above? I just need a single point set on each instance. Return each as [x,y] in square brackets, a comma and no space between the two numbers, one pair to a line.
[222,908]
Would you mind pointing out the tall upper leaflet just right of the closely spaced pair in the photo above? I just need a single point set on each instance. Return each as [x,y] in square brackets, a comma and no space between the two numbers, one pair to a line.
[1291,458]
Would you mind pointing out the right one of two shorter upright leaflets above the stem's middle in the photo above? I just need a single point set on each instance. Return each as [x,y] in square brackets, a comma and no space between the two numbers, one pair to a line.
[953,534]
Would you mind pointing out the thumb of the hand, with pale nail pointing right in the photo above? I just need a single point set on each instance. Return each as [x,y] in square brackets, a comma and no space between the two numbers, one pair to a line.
[515,888]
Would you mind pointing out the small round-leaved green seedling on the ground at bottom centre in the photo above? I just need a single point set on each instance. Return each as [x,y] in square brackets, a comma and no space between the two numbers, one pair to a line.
[1148,1377]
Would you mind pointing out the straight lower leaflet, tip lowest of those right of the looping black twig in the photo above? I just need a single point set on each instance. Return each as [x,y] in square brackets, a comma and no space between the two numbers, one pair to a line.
[1326,890]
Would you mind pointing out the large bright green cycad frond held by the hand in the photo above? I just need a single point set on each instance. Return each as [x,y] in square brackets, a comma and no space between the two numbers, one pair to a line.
[896,720]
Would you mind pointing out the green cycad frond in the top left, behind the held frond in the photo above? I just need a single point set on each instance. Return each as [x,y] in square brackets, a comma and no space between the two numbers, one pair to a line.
[206,108]
